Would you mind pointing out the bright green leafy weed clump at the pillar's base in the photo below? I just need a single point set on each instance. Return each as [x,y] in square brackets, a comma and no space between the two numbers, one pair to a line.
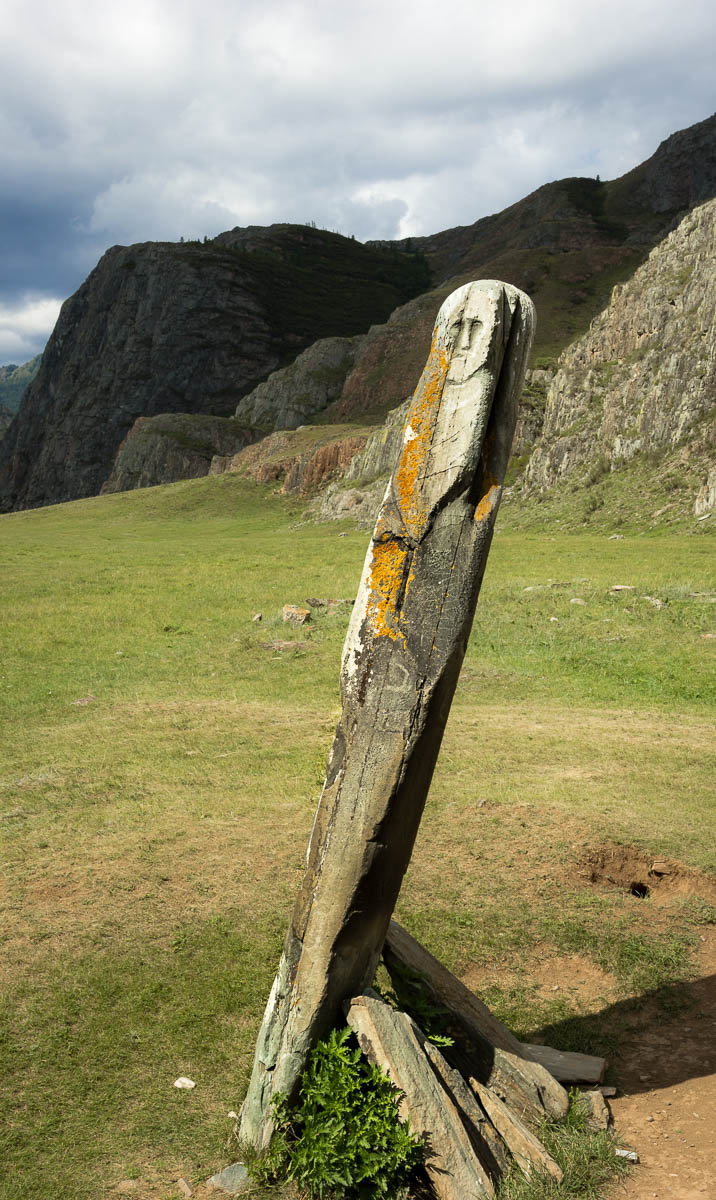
[344,1139]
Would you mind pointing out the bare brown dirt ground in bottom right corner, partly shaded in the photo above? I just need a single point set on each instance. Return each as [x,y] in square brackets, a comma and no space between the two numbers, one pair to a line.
[666,1109]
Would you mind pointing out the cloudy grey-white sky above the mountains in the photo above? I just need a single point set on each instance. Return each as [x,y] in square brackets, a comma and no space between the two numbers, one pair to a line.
[159,119]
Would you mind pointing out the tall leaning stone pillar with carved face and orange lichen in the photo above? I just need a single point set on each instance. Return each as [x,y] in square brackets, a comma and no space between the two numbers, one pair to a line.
[401,663]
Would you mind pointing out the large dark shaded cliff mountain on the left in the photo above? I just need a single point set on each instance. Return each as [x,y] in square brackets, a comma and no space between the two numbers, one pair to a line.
[163,328]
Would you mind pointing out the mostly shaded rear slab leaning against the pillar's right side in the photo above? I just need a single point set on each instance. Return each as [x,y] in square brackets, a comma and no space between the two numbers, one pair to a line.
[490,1051]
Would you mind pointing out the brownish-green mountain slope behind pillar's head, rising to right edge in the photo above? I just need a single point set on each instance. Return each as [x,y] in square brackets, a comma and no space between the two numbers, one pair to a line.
[568,244]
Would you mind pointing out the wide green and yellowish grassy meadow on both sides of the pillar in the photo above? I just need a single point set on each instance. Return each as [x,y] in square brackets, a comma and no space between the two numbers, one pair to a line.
[161,760]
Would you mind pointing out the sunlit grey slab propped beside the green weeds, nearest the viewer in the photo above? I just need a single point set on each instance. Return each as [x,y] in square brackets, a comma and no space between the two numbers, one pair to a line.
[389,1040]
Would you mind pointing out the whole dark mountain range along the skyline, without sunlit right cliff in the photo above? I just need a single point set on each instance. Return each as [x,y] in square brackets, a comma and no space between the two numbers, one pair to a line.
[208,329]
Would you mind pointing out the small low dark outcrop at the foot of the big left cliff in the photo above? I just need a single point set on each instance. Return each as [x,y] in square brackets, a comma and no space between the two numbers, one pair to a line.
[175,446]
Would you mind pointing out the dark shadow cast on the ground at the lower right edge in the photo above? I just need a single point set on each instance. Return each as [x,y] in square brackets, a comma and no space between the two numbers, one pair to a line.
[655,1041]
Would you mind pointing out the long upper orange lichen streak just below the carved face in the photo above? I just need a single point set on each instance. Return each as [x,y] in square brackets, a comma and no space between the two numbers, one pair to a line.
[418,437]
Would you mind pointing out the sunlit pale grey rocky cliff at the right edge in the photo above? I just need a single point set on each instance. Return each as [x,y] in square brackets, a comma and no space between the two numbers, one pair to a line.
[645,376]
